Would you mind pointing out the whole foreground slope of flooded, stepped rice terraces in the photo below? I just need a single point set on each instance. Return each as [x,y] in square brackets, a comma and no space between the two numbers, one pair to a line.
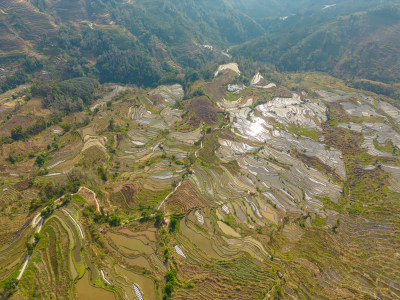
[258,190]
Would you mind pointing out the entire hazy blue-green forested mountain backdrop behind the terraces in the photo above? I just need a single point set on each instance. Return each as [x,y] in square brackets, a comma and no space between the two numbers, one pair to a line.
[149,42]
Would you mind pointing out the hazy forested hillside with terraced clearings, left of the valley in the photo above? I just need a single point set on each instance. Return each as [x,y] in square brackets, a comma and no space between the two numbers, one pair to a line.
[141,42]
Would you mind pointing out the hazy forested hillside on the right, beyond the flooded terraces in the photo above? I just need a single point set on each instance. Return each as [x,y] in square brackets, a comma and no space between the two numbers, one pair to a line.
[361,45]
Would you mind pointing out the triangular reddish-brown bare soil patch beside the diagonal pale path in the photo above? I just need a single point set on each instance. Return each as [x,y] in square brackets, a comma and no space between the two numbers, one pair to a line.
[186,198]
